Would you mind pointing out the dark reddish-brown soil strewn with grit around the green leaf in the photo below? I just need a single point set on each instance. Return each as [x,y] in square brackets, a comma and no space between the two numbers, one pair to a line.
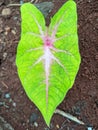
[81,101]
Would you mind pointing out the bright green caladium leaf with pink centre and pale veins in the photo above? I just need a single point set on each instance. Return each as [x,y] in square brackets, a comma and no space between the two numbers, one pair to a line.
[48,58]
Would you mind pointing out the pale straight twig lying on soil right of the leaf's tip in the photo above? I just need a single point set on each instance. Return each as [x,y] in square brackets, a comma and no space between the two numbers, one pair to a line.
[67,115]
